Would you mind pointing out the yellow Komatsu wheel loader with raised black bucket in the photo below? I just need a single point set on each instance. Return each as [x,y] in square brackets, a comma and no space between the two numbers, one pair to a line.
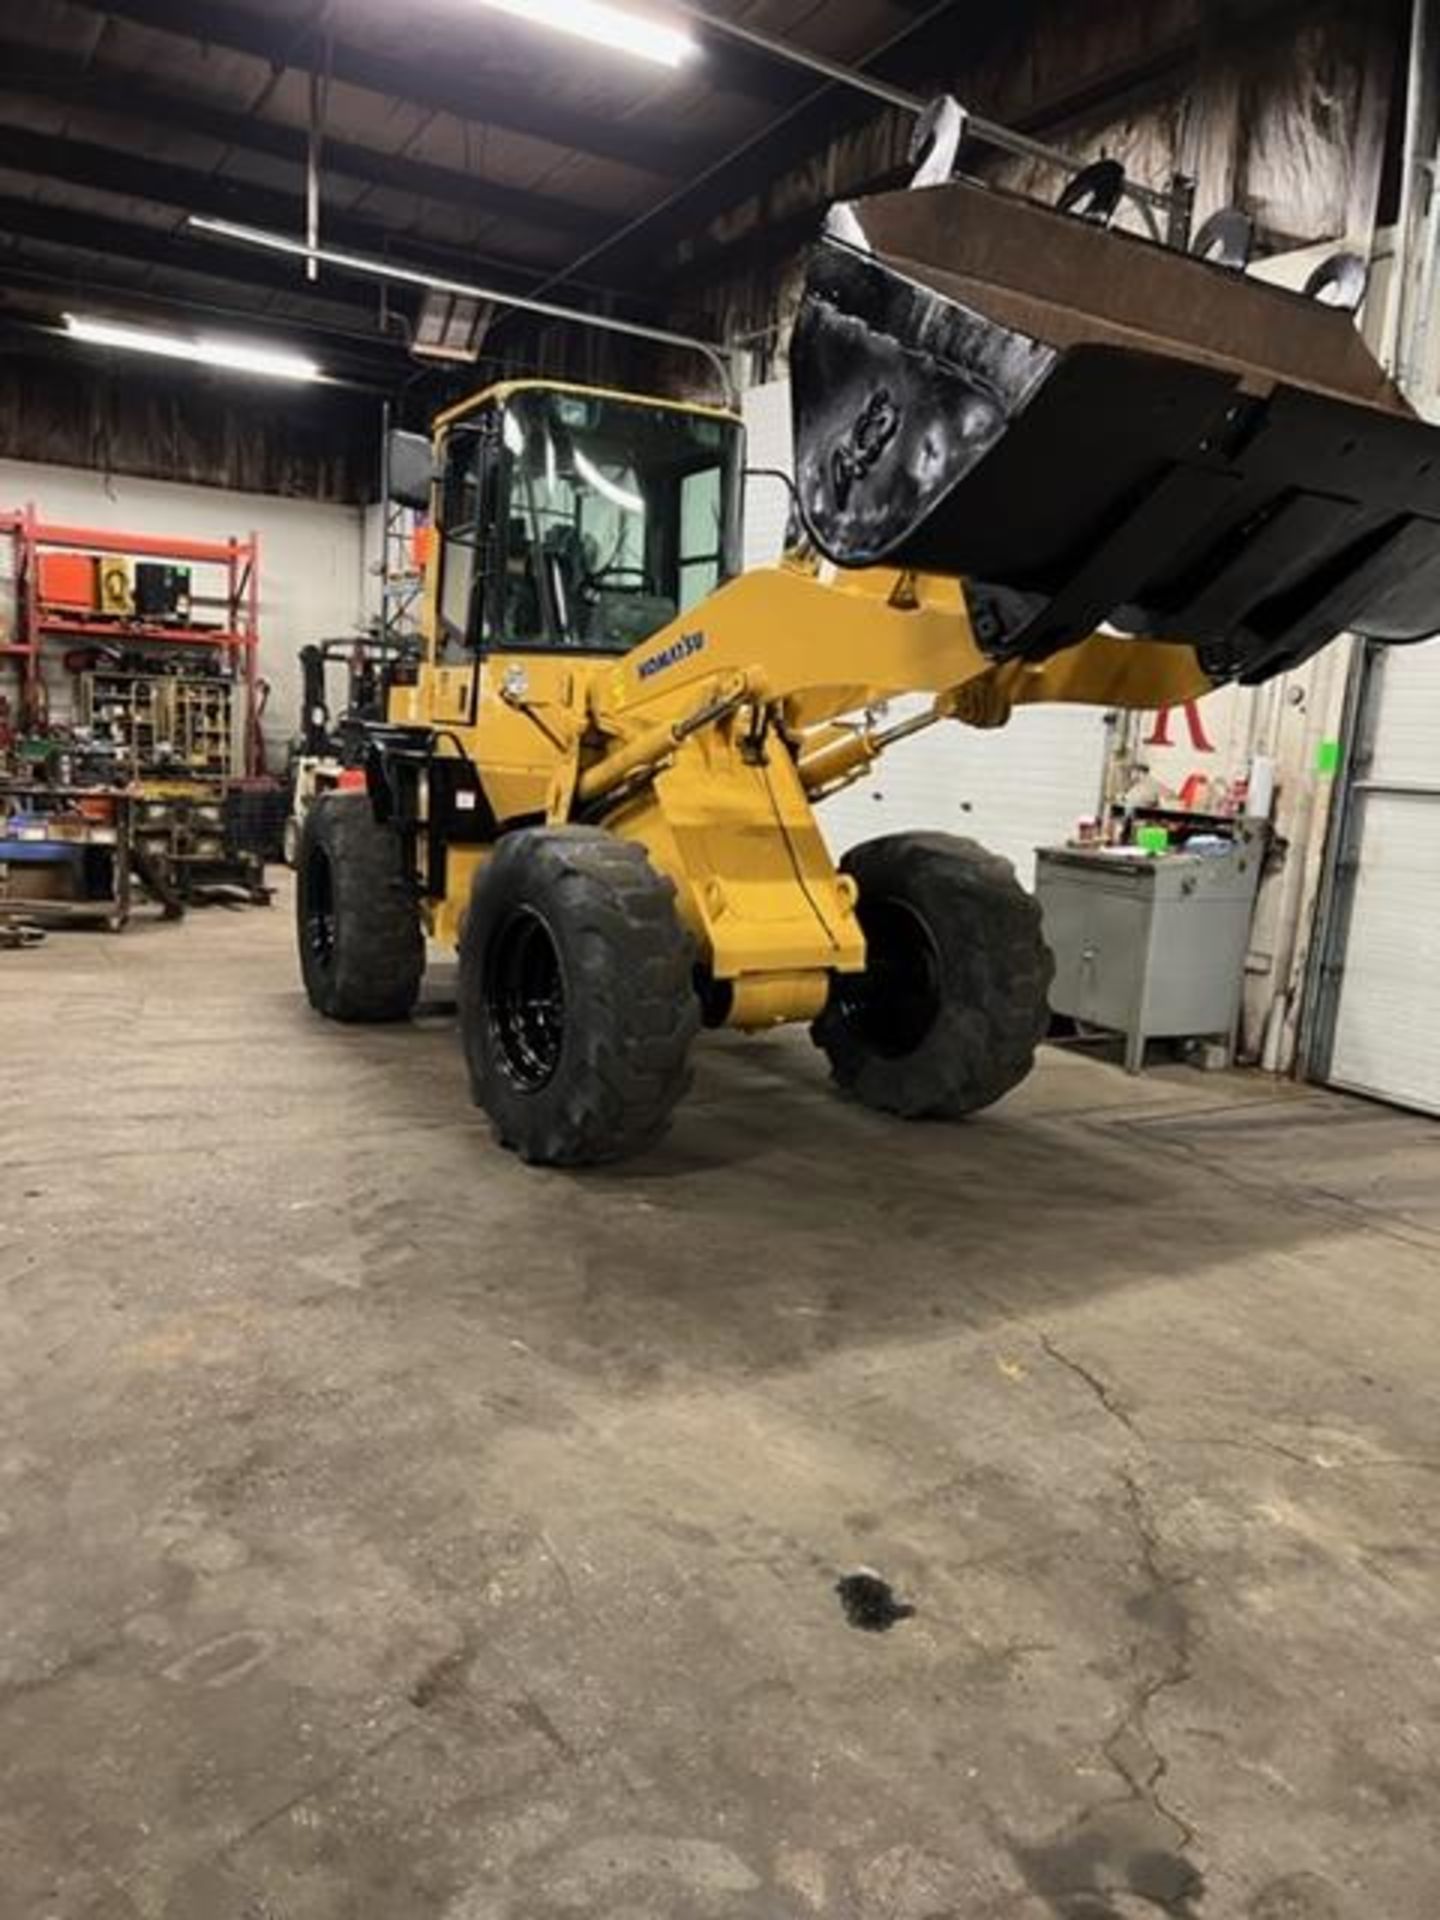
[1038,460]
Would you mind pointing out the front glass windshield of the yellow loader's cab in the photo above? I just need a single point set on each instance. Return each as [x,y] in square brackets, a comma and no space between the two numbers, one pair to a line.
[621,517]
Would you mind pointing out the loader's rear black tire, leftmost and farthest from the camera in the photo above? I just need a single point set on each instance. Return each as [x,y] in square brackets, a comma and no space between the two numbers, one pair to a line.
[362,949]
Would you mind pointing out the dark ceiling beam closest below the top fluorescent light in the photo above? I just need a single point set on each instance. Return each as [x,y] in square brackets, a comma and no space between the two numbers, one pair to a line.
[443,85]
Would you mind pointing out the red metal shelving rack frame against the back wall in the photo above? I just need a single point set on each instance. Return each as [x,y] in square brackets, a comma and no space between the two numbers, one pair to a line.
[237,633]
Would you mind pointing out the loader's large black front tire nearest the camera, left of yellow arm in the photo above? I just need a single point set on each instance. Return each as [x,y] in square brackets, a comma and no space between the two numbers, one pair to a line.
[577,997]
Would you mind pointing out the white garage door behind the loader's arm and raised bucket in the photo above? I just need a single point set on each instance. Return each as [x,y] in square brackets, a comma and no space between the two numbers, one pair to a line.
[1015,790]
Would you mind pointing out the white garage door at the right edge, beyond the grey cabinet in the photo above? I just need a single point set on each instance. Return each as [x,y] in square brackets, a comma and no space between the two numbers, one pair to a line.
[1387,1034]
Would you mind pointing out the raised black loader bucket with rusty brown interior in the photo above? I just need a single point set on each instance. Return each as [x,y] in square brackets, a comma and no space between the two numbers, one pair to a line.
[1095,429]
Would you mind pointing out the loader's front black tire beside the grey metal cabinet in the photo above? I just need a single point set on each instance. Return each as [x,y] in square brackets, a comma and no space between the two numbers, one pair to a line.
[953,1001]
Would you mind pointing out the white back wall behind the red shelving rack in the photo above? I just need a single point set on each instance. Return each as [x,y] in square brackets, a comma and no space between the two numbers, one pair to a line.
[312,560]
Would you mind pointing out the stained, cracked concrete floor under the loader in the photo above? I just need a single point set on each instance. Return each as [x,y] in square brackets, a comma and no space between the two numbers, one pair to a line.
[389,1531]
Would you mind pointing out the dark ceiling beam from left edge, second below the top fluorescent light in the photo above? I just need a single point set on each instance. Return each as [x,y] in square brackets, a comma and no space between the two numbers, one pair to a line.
[78,84]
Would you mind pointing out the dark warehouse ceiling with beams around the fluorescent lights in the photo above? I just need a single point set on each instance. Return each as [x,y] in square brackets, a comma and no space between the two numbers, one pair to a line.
[454,137]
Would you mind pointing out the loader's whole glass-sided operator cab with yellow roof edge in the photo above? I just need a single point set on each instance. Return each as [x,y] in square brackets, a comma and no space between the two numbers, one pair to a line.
[579,521]
